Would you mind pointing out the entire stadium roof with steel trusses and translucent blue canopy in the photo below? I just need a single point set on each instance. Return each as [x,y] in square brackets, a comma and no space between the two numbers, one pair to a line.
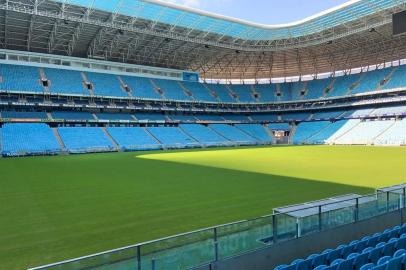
[151,32]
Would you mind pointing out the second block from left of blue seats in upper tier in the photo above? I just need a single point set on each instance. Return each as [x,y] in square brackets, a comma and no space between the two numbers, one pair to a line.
[65,81]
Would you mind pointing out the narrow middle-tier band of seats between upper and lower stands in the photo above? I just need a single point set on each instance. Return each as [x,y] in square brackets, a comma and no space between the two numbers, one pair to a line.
[303,116]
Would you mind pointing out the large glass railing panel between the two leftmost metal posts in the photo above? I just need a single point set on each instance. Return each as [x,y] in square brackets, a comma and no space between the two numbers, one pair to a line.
[180,252]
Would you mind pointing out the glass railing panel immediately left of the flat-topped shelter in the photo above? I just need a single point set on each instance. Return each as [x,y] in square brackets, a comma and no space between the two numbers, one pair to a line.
[245,236]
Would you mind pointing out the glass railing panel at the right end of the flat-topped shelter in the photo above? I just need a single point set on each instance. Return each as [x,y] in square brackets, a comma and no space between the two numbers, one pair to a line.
[341,213]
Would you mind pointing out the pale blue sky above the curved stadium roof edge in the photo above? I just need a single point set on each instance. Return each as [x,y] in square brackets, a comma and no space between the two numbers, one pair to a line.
[263,11]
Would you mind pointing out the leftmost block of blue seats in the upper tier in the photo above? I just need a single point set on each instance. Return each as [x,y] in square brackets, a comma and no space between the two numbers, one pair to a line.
[20,78]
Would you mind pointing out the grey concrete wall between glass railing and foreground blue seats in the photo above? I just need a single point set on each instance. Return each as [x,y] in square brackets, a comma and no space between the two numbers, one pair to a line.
[286,252]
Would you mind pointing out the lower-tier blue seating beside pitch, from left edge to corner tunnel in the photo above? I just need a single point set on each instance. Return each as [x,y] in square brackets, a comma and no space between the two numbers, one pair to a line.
[36,139]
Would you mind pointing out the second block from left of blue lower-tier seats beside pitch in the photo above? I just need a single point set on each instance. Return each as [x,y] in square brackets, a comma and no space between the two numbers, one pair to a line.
[85,139]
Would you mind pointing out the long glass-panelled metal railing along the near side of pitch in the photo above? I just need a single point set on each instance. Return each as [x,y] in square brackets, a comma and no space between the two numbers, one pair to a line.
[201,247]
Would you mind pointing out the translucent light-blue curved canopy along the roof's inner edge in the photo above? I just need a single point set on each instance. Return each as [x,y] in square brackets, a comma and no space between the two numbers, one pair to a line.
[192,19]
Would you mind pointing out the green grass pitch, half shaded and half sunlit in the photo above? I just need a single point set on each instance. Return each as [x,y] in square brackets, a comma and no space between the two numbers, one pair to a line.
[56,208]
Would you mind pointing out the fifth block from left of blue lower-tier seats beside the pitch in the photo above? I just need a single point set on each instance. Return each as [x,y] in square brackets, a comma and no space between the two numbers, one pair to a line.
[204,135]
